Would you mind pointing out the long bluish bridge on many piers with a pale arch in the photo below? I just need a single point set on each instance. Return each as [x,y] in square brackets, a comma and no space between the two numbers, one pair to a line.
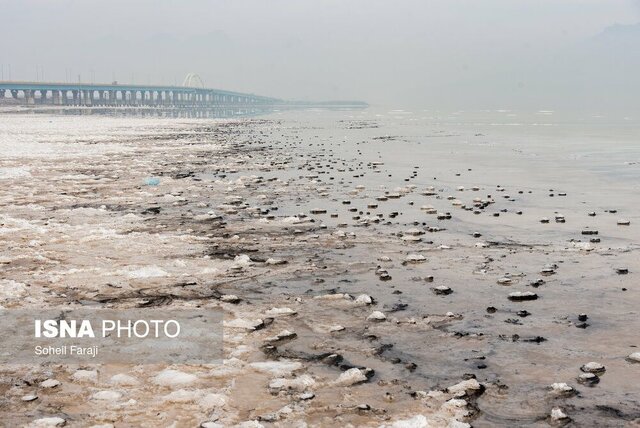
[192,94]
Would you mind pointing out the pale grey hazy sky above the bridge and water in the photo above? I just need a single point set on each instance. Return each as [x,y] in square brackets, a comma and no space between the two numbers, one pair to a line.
[396,53]
